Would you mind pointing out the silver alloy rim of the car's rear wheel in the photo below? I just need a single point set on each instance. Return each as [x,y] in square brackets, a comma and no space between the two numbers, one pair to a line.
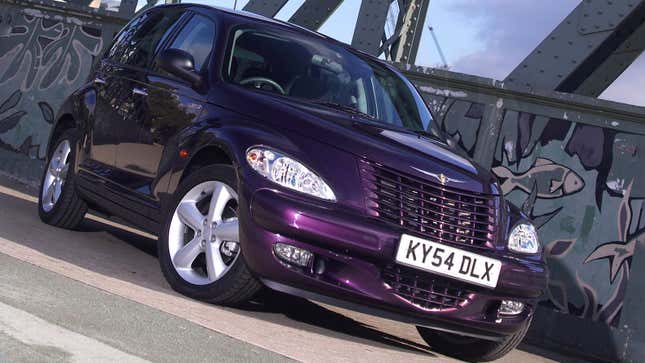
[55,176]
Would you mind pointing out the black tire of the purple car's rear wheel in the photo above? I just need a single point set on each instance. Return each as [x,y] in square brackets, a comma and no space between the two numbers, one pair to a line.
[68,210]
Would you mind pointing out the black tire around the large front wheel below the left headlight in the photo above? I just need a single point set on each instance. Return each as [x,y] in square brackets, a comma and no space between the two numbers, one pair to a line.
[237,285]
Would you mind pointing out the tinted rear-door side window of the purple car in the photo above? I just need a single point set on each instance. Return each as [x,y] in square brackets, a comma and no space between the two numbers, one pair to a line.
[137,43]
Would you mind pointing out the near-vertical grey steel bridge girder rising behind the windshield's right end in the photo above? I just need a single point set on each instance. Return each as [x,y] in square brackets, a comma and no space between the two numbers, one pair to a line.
[405,49]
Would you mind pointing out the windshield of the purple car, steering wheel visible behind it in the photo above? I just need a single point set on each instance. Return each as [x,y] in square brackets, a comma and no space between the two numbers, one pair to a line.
[325,73]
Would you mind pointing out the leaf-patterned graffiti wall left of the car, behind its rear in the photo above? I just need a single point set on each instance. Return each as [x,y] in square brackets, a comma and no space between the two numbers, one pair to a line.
[45,54]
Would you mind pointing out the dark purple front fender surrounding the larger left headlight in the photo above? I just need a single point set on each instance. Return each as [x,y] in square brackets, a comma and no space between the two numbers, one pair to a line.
[233,134]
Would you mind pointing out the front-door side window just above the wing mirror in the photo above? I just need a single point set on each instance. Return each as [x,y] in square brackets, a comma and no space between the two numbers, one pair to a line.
[196,38]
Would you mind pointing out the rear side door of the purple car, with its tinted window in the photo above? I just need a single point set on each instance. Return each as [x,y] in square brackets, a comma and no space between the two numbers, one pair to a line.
[120,106]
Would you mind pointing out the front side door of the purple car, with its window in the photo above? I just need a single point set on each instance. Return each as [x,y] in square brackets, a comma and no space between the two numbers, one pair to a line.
[171,105]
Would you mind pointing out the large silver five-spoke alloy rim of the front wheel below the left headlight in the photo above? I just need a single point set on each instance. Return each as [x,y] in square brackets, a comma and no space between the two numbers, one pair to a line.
[203,239]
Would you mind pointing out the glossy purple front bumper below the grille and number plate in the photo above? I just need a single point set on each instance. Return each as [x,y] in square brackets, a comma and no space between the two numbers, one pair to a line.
[358,252]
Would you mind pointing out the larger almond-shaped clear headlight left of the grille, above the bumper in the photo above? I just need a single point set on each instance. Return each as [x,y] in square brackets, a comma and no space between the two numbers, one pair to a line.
[288,172]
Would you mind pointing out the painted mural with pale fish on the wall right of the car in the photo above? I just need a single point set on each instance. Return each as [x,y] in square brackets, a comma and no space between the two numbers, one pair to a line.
[582,184]
